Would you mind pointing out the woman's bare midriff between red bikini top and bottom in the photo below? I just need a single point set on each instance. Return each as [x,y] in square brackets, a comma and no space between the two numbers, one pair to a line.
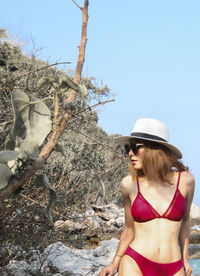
[157,240]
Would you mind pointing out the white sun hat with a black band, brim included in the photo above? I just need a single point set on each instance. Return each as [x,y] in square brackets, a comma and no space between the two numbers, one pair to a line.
[150,130]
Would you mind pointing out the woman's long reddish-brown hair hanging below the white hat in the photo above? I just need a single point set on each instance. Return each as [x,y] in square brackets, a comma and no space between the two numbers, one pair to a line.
[158,163]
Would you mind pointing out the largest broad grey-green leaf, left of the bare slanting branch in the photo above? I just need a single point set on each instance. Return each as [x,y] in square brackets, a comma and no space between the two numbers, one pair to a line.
[32,124]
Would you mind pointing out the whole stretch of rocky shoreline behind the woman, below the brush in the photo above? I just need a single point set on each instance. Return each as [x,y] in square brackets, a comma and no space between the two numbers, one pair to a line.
[97,225]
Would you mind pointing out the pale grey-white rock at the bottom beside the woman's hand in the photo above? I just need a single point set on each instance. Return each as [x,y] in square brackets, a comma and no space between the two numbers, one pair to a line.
[80,262]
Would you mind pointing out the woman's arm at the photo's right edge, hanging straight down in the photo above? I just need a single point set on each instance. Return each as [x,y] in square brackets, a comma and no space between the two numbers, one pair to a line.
[185,226]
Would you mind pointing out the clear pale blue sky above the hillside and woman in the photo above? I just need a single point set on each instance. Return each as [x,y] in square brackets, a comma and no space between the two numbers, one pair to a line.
[148,52]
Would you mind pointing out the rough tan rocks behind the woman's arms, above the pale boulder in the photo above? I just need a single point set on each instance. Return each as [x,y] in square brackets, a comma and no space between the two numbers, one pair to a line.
[100,223]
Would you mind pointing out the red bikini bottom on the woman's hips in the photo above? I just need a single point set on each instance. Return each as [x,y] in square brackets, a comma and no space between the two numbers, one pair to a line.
[149,268]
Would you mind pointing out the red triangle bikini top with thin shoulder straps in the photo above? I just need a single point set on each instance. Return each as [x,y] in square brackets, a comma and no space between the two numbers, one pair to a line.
[142,211]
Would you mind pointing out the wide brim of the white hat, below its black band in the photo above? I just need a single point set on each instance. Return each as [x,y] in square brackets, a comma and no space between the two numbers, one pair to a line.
[124,140]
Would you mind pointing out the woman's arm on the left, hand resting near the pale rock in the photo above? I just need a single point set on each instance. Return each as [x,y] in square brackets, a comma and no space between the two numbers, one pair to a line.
[127,234]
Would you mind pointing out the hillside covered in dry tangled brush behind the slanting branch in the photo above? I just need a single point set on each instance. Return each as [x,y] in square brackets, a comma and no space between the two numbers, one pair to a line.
[86,168]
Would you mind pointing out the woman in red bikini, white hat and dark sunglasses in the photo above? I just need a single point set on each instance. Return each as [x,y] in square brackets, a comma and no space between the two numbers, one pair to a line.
[157,198]
